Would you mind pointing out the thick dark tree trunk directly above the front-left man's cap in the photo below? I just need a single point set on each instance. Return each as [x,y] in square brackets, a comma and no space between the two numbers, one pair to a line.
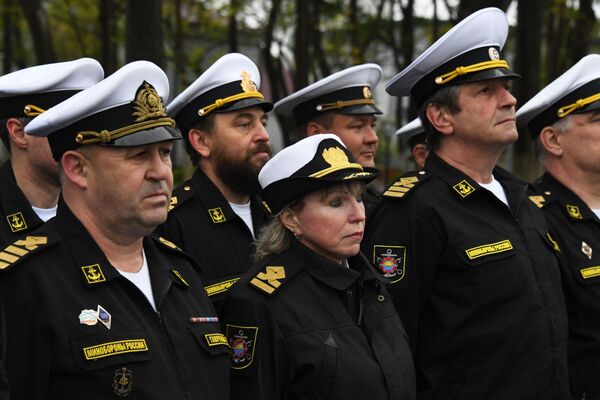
[144,31]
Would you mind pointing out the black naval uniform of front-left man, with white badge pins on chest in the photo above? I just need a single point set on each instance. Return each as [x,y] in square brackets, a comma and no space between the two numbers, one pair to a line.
[78,329]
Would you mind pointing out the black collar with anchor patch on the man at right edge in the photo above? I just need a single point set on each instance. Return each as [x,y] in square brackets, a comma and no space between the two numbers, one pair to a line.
[570,204]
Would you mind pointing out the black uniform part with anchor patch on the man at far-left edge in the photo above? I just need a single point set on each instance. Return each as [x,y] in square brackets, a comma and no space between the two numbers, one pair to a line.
[18,217]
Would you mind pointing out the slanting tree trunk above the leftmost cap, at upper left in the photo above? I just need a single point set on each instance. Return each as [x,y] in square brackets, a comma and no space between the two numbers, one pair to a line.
[37,19]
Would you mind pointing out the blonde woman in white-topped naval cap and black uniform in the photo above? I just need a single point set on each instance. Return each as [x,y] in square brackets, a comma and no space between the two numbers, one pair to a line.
[312,318]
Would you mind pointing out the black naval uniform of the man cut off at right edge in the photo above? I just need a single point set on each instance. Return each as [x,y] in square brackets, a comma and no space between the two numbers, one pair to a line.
[578,232]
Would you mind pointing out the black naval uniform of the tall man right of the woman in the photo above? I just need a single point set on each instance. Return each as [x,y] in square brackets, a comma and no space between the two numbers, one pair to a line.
[477,285]
